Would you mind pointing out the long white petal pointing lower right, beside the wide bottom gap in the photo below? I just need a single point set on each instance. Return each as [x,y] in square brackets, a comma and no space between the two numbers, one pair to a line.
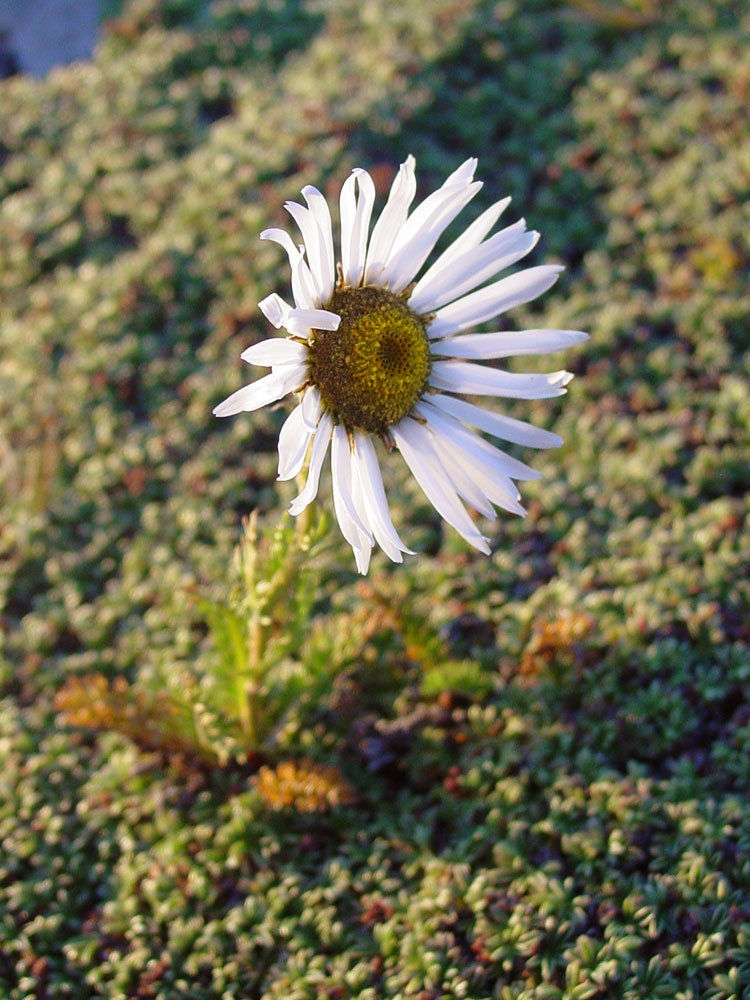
[415,445]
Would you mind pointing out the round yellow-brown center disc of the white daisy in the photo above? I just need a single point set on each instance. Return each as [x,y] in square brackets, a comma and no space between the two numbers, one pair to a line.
[374,368]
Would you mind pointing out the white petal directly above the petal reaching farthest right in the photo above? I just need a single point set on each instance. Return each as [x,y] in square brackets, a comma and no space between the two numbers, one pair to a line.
[494,299]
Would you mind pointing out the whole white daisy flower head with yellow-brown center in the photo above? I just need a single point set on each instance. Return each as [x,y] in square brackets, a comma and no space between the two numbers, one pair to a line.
[372,354]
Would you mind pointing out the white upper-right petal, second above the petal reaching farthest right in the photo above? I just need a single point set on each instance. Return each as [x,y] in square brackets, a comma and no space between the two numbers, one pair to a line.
[473,268]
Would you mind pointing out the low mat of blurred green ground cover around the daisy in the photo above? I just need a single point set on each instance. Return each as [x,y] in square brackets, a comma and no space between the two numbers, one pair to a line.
[551,797]
